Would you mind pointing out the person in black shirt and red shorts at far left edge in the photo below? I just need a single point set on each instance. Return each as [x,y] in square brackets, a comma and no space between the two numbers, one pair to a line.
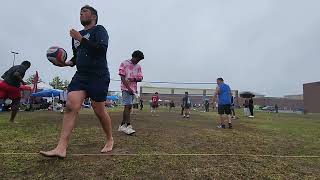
[9,87]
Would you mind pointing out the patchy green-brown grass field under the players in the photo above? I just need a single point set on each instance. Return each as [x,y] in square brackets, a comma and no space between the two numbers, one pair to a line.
[165,147]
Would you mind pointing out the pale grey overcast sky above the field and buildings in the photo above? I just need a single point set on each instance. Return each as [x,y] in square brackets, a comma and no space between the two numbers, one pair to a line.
[265,46]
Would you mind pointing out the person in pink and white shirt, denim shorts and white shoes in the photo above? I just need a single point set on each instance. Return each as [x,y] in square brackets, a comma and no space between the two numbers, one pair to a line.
[130,73]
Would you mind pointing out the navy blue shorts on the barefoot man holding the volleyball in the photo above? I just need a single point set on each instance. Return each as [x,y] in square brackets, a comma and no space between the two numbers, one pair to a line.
[95,87]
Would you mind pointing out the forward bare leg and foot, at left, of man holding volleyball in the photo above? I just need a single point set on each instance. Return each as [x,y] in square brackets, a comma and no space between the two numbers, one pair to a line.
[74,102]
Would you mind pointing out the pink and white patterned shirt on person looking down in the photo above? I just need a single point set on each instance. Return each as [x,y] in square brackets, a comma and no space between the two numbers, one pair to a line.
[130,71]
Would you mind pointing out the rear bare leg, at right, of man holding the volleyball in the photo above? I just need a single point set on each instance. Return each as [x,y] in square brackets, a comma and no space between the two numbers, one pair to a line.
[105,120]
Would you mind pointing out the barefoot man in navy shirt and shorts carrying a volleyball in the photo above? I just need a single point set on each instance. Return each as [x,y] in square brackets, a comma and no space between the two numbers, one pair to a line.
[91,79]
